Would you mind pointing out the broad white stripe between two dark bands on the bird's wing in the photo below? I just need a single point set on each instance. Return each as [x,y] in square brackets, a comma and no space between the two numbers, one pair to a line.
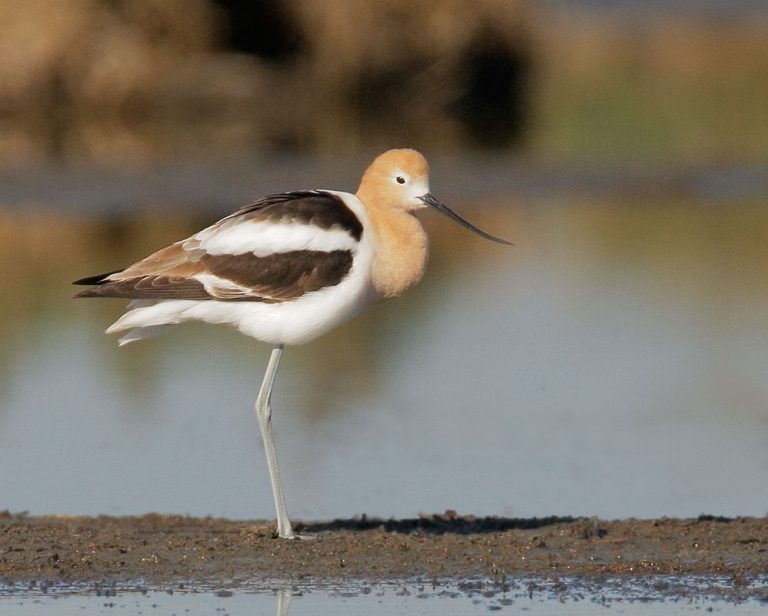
[263,238]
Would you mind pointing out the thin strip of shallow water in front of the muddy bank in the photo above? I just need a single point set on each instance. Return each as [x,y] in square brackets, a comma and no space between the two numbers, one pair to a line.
[562,596]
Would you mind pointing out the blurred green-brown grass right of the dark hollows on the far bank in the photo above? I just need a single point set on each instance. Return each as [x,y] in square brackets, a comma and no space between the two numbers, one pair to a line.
[664,90]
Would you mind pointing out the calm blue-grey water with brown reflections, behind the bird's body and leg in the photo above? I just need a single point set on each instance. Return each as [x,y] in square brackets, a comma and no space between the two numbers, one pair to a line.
[611,363]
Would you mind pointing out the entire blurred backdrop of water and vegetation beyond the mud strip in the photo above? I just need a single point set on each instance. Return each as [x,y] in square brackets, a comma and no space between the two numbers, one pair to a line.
[613,362]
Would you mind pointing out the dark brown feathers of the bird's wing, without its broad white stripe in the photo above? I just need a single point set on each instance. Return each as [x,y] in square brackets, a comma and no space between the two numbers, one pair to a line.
[186,271]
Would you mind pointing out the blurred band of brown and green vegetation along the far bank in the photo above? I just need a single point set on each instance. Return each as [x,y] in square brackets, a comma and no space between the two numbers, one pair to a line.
[139,80]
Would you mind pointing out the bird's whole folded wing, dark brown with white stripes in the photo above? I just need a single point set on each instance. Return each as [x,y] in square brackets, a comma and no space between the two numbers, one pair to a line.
[275,250]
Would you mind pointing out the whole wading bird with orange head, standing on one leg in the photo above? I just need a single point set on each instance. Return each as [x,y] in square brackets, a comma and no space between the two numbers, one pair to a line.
[286,269]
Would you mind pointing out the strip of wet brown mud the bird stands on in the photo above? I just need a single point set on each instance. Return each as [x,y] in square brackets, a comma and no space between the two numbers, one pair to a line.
[163,550]
